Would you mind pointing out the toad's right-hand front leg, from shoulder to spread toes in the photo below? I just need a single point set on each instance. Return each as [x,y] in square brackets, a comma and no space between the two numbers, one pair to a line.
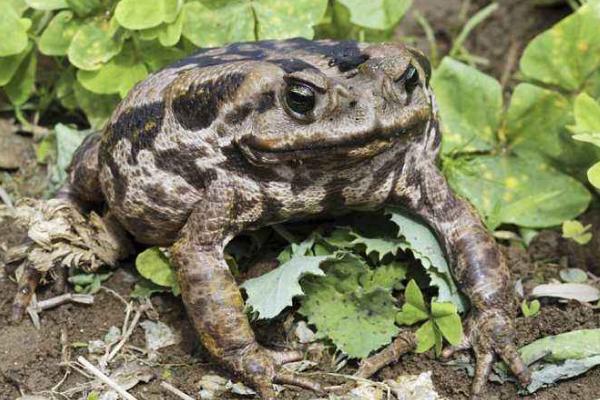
[477,265]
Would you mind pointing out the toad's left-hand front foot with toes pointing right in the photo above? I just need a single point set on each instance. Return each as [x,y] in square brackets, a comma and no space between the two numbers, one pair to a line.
[261,367]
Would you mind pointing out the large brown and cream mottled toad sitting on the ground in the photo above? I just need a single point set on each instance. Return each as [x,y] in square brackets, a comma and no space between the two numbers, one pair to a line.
[213,145]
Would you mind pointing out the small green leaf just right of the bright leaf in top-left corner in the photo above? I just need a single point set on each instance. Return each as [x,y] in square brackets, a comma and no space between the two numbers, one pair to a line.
[57,36]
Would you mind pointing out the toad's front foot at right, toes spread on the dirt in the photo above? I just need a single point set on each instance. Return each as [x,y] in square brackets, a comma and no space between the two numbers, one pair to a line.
[490,333]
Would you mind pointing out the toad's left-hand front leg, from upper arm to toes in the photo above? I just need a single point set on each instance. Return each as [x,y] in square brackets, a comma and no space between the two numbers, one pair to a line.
[216,307]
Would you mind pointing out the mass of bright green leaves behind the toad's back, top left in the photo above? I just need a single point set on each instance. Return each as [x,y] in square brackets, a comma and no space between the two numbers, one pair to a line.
[94,51]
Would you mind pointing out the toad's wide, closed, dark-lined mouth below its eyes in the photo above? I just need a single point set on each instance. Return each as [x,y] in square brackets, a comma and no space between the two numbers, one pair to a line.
[358,147]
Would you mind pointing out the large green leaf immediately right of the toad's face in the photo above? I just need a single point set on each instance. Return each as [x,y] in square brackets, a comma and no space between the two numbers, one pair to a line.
[470,105]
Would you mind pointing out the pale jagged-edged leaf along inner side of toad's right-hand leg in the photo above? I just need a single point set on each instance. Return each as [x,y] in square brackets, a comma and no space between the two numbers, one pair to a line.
[425,247]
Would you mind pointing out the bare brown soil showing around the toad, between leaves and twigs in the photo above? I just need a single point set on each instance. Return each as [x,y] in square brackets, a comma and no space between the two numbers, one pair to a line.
[30,358]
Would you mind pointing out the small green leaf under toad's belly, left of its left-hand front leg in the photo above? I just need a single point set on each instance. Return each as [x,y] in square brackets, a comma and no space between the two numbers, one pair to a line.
[153,265]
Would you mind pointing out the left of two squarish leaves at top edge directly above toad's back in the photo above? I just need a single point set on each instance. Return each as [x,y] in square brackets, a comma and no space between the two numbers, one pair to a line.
[215,23]
